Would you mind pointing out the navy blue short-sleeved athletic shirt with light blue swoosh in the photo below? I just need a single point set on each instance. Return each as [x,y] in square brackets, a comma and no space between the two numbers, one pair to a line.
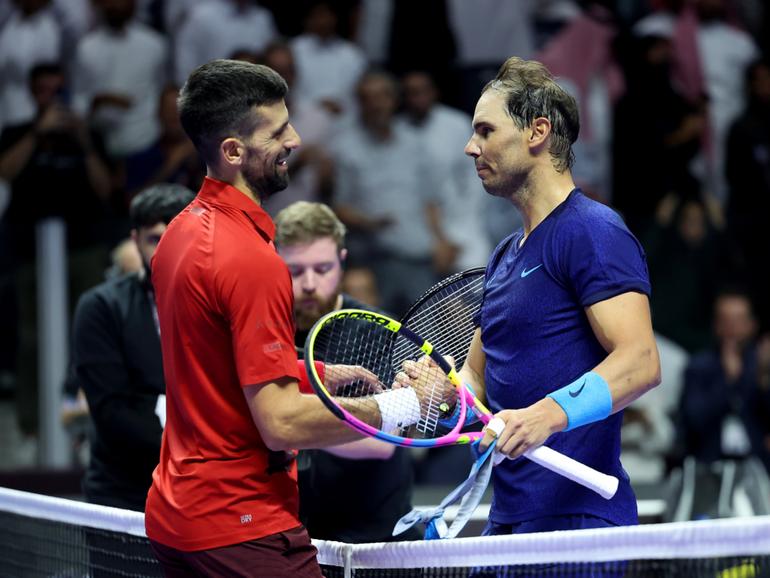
[537,339]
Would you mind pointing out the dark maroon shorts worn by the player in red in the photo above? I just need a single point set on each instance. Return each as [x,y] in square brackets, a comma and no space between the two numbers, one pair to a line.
[288,553]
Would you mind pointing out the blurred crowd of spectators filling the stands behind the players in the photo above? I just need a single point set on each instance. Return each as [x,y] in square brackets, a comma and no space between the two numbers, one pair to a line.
[675,108]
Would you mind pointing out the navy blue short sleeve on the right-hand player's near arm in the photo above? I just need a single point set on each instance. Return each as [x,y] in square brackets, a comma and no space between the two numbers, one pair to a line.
[600,258]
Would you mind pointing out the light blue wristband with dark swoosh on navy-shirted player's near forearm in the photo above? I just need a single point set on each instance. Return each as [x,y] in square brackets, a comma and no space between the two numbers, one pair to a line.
[585,400]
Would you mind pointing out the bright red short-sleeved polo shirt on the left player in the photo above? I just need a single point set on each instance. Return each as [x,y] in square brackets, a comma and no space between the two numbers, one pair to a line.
[225,306]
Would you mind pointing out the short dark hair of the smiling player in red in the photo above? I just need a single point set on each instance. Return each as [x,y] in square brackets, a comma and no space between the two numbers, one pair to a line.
[218,101]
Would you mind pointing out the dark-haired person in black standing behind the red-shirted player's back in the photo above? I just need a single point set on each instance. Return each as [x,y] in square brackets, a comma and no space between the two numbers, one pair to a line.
[117,363]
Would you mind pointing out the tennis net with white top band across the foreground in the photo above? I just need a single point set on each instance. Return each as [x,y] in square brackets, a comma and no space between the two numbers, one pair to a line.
[51,537]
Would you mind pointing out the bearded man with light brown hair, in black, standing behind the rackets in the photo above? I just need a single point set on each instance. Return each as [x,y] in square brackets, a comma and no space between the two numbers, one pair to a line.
[354,492]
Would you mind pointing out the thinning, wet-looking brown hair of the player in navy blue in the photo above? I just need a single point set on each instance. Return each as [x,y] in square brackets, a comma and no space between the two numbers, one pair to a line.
[530,92]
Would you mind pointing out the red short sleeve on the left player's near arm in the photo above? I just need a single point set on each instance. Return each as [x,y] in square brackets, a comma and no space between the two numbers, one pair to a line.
[256,296]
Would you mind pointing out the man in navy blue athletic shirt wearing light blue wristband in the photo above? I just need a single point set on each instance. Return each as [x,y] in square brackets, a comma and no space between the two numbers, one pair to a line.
[565,339]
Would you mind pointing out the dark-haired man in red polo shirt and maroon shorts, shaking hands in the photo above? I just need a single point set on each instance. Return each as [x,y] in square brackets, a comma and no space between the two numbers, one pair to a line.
[224,496]
